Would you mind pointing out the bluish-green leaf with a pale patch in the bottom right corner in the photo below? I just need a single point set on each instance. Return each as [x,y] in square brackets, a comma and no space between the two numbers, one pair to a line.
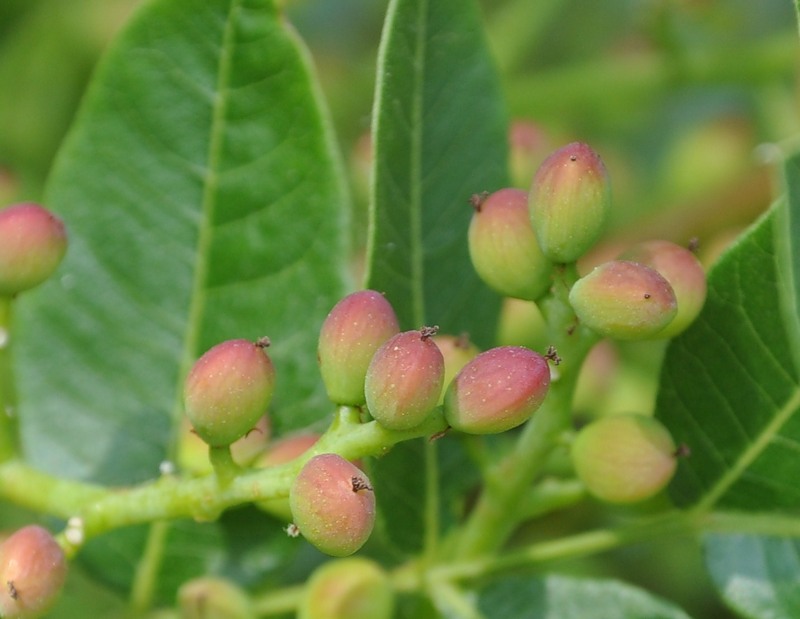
[756,576]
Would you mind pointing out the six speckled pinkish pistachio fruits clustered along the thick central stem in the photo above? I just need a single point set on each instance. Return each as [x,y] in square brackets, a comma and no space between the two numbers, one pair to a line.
[397,378]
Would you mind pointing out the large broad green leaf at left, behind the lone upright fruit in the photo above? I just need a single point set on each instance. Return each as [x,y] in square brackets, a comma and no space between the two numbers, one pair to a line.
[204,201]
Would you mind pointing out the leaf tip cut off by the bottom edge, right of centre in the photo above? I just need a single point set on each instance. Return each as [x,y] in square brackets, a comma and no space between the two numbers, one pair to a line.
[560,597]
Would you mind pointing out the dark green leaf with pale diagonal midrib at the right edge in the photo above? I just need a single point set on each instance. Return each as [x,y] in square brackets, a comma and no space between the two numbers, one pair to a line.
[729,388]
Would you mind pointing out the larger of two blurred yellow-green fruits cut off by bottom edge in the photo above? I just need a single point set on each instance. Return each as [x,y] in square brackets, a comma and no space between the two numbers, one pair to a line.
[351,588]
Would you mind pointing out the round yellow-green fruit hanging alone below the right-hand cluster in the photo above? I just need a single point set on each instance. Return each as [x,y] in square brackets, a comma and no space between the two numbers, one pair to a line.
[624,458]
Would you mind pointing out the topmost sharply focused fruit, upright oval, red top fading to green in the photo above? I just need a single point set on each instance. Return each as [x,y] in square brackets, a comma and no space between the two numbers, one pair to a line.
[569,202]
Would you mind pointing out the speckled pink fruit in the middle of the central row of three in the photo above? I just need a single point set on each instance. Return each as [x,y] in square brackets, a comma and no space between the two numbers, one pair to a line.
[404,379]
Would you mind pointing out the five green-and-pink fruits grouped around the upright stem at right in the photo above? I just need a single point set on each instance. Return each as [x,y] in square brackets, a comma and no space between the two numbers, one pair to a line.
[653,290]
